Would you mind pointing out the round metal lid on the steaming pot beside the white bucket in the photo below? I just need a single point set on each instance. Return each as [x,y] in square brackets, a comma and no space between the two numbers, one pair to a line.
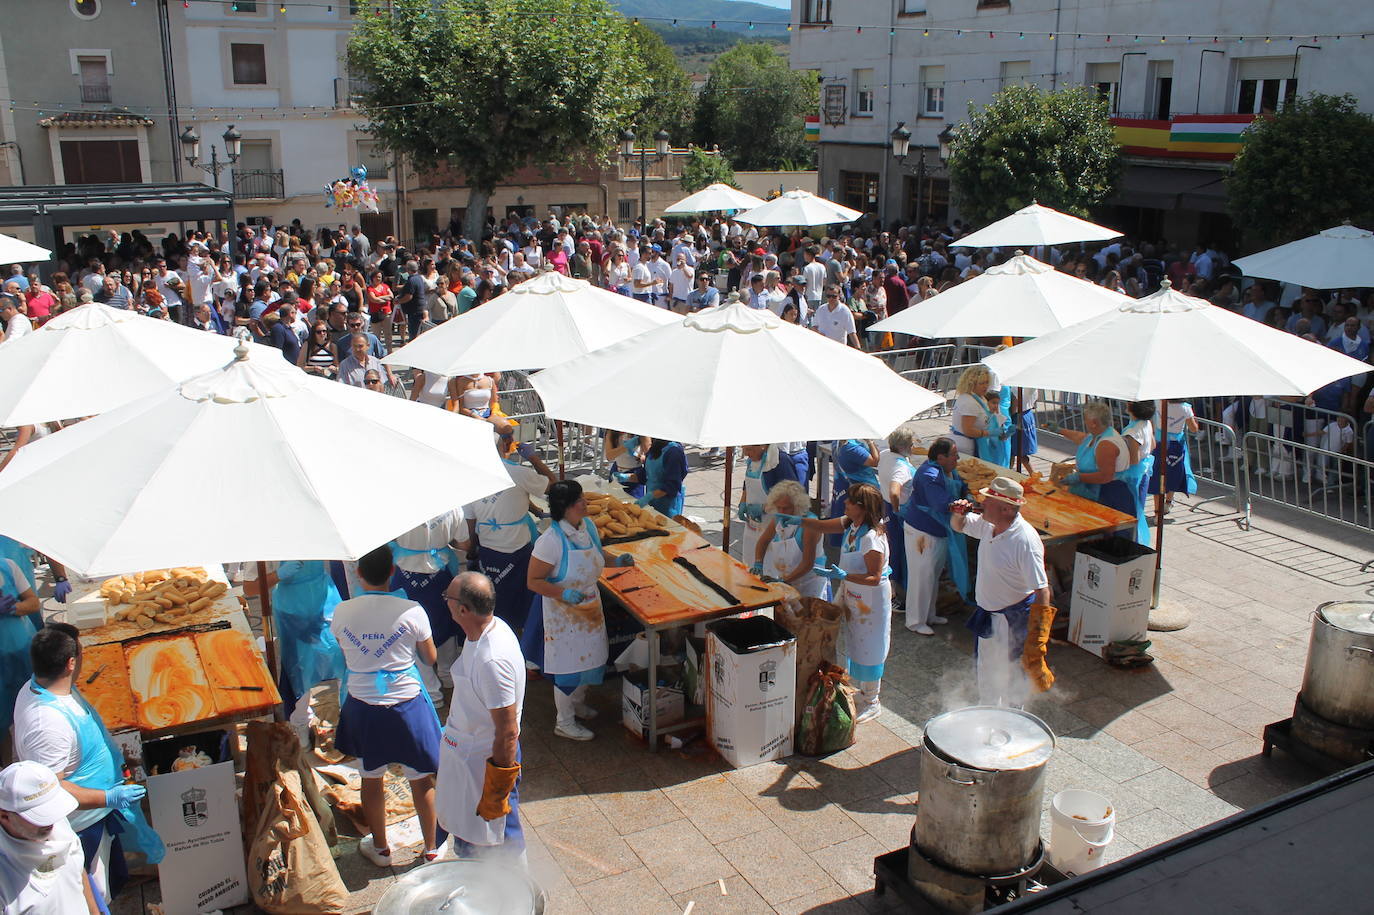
[986,737]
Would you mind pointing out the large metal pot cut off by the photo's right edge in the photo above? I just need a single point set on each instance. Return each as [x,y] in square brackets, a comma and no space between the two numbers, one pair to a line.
[1339,681]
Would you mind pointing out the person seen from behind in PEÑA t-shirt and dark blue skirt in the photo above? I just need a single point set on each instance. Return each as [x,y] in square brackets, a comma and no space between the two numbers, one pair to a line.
[388,719]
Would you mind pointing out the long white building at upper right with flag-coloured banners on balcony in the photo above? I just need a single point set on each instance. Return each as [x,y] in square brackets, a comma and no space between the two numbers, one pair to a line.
[925,63]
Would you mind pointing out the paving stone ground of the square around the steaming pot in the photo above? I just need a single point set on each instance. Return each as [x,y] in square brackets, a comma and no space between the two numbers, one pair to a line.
[616,829]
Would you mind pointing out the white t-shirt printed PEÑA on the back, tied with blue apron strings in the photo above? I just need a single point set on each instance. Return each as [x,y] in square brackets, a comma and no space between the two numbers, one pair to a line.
[380,633]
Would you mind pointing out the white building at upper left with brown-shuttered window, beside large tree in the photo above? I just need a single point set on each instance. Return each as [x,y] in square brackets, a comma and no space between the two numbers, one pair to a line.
[278,75]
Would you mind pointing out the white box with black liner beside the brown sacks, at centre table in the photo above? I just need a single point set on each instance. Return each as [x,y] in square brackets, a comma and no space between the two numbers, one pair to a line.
[754,684]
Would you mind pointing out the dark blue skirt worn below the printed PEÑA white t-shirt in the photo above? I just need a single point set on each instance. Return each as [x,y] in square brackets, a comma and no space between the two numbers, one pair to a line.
[406,733]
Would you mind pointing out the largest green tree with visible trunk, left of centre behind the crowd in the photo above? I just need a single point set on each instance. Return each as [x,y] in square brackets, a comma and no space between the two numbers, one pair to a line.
[491,87]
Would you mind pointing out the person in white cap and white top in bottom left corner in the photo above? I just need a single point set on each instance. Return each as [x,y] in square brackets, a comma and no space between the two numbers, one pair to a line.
[41,857]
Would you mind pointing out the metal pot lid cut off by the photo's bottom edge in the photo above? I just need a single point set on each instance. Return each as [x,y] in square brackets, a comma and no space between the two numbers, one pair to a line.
[462,888]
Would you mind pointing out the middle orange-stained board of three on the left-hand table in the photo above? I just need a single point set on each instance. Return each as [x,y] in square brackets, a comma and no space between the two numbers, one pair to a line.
[168,684]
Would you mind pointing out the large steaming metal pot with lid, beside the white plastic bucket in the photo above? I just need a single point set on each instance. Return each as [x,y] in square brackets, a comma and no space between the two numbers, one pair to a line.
[982,789]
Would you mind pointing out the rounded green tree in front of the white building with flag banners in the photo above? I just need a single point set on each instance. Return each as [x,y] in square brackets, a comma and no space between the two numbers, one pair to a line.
[1031,145]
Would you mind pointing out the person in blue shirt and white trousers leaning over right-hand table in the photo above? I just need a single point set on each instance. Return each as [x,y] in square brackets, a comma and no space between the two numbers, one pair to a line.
[930,542]
